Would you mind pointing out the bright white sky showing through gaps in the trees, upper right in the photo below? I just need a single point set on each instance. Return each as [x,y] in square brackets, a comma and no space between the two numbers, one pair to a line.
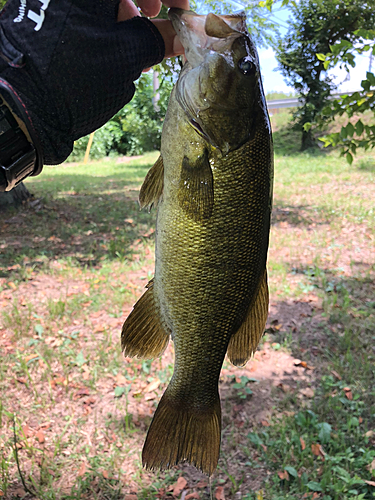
[274,81]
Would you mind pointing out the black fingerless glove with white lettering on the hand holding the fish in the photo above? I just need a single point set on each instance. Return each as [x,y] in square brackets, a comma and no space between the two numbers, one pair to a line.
[72,65]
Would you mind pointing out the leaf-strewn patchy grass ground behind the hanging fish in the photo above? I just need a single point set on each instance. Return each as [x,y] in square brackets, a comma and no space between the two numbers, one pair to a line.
[298,420]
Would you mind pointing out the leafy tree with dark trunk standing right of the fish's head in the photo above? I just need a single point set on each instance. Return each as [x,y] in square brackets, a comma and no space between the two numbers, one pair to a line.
[316,26]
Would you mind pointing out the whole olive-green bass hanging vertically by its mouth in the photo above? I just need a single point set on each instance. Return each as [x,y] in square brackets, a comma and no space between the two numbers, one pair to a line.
[212,186]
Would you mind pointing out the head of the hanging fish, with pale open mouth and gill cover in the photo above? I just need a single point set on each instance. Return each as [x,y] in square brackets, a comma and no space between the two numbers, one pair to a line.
[220,86]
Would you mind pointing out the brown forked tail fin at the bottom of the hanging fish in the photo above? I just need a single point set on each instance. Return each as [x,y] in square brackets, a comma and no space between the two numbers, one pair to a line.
[180,432]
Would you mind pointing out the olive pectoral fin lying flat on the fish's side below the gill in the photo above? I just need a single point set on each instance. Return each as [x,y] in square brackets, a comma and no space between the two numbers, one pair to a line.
[196,188]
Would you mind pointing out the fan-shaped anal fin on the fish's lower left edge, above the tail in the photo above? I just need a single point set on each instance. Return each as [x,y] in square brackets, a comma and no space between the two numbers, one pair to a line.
[143,334]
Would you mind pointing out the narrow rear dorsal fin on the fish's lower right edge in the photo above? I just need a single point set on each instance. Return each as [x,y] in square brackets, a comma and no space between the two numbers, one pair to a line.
[245,341]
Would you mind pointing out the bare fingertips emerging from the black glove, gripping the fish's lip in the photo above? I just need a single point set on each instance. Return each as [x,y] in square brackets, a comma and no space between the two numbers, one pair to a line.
[151,8]
